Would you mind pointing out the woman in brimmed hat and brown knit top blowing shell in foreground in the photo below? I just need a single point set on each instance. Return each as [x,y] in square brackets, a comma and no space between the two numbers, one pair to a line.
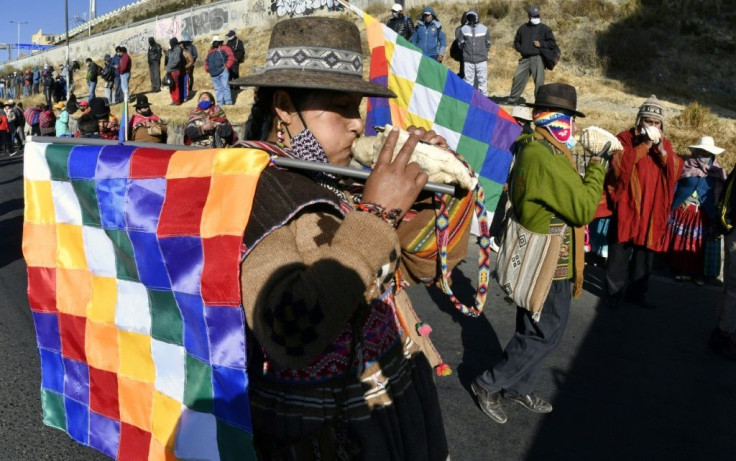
[339,378]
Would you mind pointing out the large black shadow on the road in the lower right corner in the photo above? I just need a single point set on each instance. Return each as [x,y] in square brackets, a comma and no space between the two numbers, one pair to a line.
[644,385]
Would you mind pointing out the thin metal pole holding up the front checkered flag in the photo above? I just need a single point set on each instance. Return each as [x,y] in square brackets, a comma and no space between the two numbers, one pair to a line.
[278,161]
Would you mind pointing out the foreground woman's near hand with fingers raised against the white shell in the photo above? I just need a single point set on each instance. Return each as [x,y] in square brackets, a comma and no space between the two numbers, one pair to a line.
[396,184]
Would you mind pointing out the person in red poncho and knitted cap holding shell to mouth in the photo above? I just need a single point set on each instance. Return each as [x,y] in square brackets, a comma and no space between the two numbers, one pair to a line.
[640,187]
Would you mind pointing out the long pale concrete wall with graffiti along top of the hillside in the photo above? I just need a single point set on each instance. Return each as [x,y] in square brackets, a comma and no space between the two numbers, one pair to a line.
[199,22]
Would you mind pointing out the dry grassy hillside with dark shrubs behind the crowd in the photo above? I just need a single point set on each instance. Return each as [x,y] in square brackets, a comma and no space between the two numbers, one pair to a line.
[616,53]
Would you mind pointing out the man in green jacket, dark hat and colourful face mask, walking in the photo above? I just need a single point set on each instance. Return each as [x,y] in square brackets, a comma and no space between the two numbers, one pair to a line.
[546,191]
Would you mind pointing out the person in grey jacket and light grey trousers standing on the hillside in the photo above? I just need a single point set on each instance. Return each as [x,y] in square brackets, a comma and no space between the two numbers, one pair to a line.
[474,39]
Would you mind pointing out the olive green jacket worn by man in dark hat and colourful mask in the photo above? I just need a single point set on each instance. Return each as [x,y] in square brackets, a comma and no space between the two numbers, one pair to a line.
[546,190]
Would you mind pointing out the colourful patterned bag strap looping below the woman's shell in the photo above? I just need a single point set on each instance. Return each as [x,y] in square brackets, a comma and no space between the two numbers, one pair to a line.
[484,252]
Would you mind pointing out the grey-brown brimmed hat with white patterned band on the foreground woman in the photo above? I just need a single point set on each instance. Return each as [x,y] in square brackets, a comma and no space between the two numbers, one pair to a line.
[315,53]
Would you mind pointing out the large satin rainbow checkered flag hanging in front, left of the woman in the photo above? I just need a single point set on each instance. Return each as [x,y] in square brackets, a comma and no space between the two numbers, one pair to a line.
[133,262]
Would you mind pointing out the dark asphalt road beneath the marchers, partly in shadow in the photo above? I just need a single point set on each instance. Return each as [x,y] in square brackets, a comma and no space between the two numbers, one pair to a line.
[629,384]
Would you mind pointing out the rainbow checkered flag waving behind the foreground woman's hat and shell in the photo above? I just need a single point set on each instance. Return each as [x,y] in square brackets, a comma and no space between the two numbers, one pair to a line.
[431,96]
